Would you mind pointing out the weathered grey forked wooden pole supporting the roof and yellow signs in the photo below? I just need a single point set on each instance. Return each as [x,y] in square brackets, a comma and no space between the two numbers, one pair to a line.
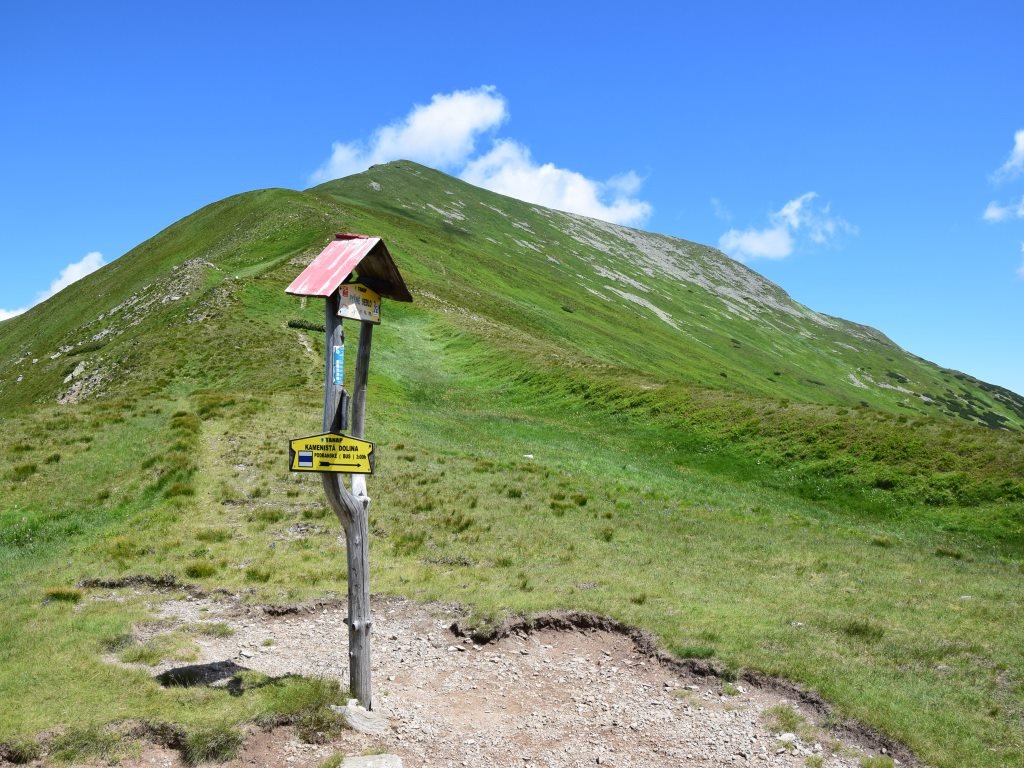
[351,509]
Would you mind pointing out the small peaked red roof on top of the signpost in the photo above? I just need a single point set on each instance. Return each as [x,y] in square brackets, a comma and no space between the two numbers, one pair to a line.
[342,259]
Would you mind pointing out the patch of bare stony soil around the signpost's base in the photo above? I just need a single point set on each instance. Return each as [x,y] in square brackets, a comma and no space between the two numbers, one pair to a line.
[560,693]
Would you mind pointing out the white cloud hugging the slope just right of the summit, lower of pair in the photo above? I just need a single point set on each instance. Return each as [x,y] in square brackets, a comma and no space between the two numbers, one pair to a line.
[509,169]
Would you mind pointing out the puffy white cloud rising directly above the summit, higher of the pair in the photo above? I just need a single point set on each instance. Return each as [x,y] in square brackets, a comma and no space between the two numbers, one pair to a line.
[442,135]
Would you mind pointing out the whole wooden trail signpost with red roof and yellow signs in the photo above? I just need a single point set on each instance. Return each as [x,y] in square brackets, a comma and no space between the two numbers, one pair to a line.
[334,454]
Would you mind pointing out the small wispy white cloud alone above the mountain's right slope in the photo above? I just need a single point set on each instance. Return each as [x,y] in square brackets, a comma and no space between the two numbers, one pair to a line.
[799,217]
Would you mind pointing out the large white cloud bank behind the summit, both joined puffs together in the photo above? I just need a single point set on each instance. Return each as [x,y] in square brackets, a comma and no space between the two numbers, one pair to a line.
[445,135]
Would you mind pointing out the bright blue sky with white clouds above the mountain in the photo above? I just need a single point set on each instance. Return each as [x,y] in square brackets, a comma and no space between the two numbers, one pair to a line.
[867,157]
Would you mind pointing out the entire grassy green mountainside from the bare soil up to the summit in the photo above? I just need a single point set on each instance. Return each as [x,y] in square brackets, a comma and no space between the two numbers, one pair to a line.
[749,480]
